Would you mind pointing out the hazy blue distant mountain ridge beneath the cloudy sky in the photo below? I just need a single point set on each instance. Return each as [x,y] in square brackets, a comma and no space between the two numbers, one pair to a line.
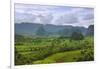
[34,29]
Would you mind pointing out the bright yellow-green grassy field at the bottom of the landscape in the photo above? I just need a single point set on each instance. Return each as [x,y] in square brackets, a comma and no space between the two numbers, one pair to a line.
[70,56]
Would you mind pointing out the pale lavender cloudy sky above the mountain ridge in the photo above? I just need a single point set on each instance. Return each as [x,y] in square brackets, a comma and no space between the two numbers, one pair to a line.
[50,14]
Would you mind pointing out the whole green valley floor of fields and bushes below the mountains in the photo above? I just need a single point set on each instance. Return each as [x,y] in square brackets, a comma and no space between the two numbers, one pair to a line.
[52,50]
